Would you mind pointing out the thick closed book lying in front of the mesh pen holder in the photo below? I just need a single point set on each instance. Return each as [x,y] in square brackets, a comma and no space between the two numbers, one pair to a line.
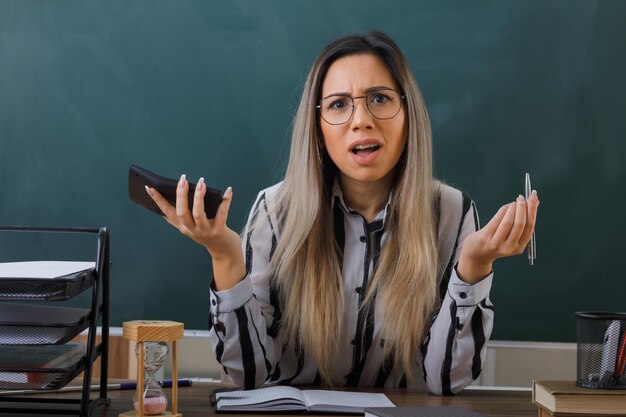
[564,398]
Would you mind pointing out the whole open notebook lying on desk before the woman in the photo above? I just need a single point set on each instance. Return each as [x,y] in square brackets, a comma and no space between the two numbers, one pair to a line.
[284,398]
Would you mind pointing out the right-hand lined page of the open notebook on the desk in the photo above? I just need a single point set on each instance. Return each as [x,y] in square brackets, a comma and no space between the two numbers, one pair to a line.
[344,401]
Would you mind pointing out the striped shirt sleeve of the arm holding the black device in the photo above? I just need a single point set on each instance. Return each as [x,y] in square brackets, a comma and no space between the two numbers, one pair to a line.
[244,319]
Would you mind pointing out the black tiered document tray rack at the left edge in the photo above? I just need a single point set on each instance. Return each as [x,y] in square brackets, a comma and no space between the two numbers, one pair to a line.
[34,352]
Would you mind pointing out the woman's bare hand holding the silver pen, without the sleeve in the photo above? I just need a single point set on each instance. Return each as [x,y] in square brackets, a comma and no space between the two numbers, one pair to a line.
[506,234]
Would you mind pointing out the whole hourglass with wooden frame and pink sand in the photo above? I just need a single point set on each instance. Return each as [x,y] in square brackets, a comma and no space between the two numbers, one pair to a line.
[151,351]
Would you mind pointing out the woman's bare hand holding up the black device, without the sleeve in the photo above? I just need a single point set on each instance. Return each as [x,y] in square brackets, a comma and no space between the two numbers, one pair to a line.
[223,244]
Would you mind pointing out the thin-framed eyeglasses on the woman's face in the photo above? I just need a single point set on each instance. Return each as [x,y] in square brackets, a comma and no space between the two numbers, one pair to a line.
[383,104]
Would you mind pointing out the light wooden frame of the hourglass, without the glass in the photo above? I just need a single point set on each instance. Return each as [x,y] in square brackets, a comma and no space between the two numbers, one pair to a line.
[142,331]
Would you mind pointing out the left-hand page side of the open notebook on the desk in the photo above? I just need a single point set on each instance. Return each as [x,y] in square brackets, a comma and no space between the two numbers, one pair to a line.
[271,398]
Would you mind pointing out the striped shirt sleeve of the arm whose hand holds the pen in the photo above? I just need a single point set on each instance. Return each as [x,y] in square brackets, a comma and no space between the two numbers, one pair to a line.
[455,346]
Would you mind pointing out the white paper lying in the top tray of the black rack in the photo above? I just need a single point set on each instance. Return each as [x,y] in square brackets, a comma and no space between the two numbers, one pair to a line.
[42,269]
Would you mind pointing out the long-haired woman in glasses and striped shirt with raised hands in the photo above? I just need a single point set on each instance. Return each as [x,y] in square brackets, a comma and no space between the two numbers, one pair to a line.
[359,269]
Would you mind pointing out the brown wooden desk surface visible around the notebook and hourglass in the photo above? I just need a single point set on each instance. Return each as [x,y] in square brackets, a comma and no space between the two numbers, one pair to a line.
[194,401]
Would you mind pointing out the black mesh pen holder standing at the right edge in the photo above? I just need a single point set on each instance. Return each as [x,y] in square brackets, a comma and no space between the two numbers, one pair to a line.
[601,350]
